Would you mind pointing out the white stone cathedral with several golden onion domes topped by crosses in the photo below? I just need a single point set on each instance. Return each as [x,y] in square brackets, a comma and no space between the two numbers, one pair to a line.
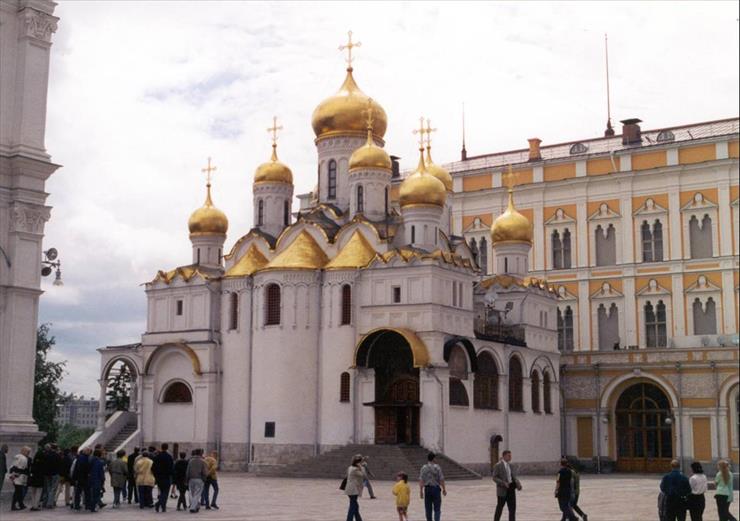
[360,318]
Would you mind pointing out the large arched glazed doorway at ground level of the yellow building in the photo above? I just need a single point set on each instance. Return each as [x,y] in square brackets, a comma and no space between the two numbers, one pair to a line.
[644,429]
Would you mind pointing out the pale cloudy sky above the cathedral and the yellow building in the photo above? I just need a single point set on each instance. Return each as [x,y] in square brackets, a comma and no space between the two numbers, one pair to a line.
[141,93]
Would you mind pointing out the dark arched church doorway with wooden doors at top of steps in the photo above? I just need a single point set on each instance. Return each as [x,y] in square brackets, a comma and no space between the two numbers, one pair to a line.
[397,405]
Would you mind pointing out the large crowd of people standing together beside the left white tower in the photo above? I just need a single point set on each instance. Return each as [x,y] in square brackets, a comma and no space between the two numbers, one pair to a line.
[81,474]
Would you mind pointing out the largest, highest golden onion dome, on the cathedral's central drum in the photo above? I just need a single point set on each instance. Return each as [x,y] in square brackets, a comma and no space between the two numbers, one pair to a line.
[344,112]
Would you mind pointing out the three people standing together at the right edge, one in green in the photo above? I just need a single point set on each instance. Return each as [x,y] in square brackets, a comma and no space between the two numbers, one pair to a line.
[680,494]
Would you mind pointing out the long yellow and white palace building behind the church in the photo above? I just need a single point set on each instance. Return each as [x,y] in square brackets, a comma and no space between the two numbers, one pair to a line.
[639,234]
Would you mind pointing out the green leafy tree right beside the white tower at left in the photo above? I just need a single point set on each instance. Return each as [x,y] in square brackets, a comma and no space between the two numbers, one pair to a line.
[46,394]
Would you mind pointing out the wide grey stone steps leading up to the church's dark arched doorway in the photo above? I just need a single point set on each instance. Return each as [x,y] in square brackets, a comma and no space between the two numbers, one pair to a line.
[385,461]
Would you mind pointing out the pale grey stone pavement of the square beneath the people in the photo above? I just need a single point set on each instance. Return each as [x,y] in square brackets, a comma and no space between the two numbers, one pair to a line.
[248,498]
